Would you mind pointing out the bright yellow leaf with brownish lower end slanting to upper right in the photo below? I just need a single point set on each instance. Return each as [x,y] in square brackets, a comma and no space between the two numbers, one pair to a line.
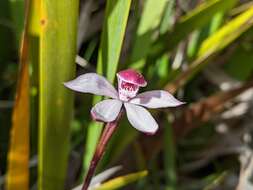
[213,45]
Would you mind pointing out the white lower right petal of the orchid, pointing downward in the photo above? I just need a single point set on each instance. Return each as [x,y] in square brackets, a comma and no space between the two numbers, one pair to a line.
[141,119]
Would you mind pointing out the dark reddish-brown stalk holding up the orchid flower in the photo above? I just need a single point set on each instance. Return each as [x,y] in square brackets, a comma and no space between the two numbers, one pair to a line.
[108,131]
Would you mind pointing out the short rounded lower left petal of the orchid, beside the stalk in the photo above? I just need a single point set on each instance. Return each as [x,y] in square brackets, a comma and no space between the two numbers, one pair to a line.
[106,110]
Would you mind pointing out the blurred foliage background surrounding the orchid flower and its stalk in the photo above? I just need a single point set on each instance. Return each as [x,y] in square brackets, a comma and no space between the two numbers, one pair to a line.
[199,50]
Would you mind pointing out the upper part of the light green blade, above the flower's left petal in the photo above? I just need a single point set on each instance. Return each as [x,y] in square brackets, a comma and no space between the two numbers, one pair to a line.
[114,27]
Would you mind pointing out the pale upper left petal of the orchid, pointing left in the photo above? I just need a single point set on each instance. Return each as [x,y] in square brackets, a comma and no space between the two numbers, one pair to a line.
[94,84]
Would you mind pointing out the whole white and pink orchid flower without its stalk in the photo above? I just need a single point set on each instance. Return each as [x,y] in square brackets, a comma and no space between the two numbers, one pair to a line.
[129,82]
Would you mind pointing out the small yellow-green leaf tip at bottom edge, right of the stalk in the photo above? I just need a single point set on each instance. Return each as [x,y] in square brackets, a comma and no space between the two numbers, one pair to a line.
[122,181]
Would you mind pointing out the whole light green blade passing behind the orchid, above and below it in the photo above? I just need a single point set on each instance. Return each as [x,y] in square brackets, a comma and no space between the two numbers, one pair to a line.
[114,27]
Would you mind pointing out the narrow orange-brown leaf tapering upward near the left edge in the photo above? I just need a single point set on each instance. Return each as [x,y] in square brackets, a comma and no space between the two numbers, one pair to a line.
[18,156]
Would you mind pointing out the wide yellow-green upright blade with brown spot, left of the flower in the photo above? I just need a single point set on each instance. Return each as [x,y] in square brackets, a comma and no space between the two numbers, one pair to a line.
[57,65]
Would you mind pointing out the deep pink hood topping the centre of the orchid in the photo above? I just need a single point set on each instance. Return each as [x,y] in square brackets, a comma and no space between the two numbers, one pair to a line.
[132,76]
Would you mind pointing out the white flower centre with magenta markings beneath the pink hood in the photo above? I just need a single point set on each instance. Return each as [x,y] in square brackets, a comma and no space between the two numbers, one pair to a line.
[127,90]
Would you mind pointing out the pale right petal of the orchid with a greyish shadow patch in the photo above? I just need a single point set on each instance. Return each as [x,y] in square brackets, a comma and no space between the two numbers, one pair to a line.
[156,99]
